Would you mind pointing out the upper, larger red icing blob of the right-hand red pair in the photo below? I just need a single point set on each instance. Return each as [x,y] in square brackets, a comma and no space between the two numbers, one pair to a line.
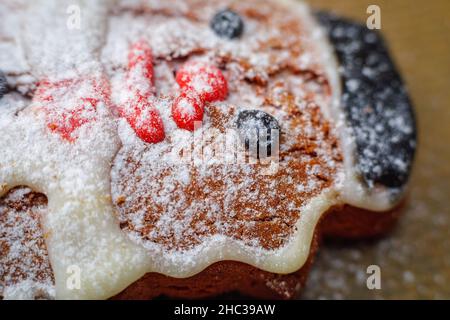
[205,79]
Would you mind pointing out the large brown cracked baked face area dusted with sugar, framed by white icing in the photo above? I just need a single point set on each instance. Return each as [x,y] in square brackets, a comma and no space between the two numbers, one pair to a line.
[154,205]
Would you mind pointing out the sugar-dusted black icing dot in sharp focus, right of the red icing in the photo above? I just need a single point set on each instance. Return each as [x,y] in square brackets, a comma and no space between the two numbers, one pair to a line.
[259,131]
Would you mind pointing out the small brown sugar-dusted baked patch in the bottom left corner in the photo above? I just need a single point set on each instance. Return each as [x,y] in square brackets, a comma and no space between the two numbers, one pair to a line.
[23,253]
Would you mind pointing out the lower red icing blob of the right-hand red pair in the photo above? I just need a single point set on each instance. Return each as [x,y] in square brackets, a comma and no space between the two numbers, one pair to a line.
[186,110]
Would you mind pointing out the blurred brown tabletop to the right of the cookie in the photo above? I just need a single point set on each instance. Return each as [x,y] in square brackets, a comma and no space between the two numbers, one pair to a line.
[415,258]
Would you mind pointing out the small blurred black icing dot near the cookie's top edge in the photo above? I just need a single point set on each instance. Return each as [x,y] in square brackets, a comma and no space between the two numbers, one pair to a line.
[227,24]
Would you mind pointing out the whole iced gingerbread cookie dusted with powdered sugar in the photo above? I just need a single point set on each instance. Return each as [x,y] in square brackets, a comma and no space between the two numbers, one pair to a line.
[190,148]
